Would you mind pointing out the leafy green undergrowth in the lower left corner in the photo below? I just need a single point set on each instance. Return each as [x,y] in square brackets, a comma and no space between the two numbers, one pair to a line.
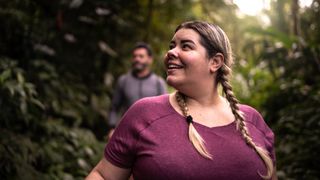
[35,143]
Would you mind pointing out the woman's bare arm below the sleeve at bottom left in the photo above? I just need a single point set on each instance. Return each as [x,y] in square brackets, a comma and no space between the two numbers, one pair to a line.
[104,170]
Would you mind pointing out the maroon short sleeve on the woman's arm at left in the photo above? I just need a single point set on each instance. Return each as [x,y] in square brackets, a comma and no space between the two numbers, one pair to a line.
[120,150]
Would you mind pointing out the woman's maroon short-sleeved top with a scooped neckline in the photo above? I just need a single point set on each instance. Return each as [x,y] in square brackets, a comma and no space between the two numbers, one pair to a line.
[152,140]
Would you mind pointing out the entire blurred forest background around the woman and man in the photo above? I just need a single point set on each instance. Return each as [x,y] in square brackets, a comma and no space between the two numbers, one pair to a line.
[59,61]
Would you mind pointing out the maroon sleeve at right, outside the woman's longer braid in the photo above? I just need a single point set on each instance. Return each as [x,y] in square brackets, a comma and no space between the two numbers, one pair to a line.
[268,133]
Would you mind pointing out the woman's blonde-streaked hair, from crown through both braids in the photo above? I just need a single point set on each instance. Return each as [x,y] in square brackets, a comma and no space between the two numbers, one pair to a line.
[214,39]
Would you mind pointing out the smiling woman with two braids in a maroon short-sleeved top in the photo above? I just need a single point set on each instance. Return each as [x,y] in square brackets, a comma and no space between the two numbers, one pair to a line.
[193,133]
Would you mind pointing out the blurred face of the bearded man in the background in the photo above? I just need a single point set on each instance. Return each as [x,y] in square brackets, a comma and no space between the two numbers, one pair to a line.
[140,60]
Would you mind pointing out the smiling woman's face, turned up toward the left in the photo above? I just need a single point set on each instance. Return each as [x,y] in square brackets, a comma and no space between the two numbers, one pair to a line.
[187,61]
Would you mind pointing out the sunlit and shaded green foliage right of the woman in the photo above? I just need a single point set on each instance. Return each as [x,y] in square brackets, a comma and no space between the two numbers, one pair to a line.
[280,68]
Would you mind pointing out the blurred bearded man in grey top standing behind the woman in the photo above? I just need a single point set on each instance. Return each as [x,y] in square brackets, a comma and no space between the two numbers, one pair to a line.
[138,83]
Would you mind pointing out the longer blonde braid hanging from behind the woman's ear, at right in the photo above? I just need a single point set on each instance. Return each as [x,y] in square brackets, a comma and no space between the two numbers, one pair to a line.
[223,73]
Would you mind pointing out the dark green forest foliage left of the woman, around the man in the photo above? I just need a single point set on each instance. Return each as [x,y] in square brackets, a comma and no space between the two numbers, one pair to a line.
[58,61]
